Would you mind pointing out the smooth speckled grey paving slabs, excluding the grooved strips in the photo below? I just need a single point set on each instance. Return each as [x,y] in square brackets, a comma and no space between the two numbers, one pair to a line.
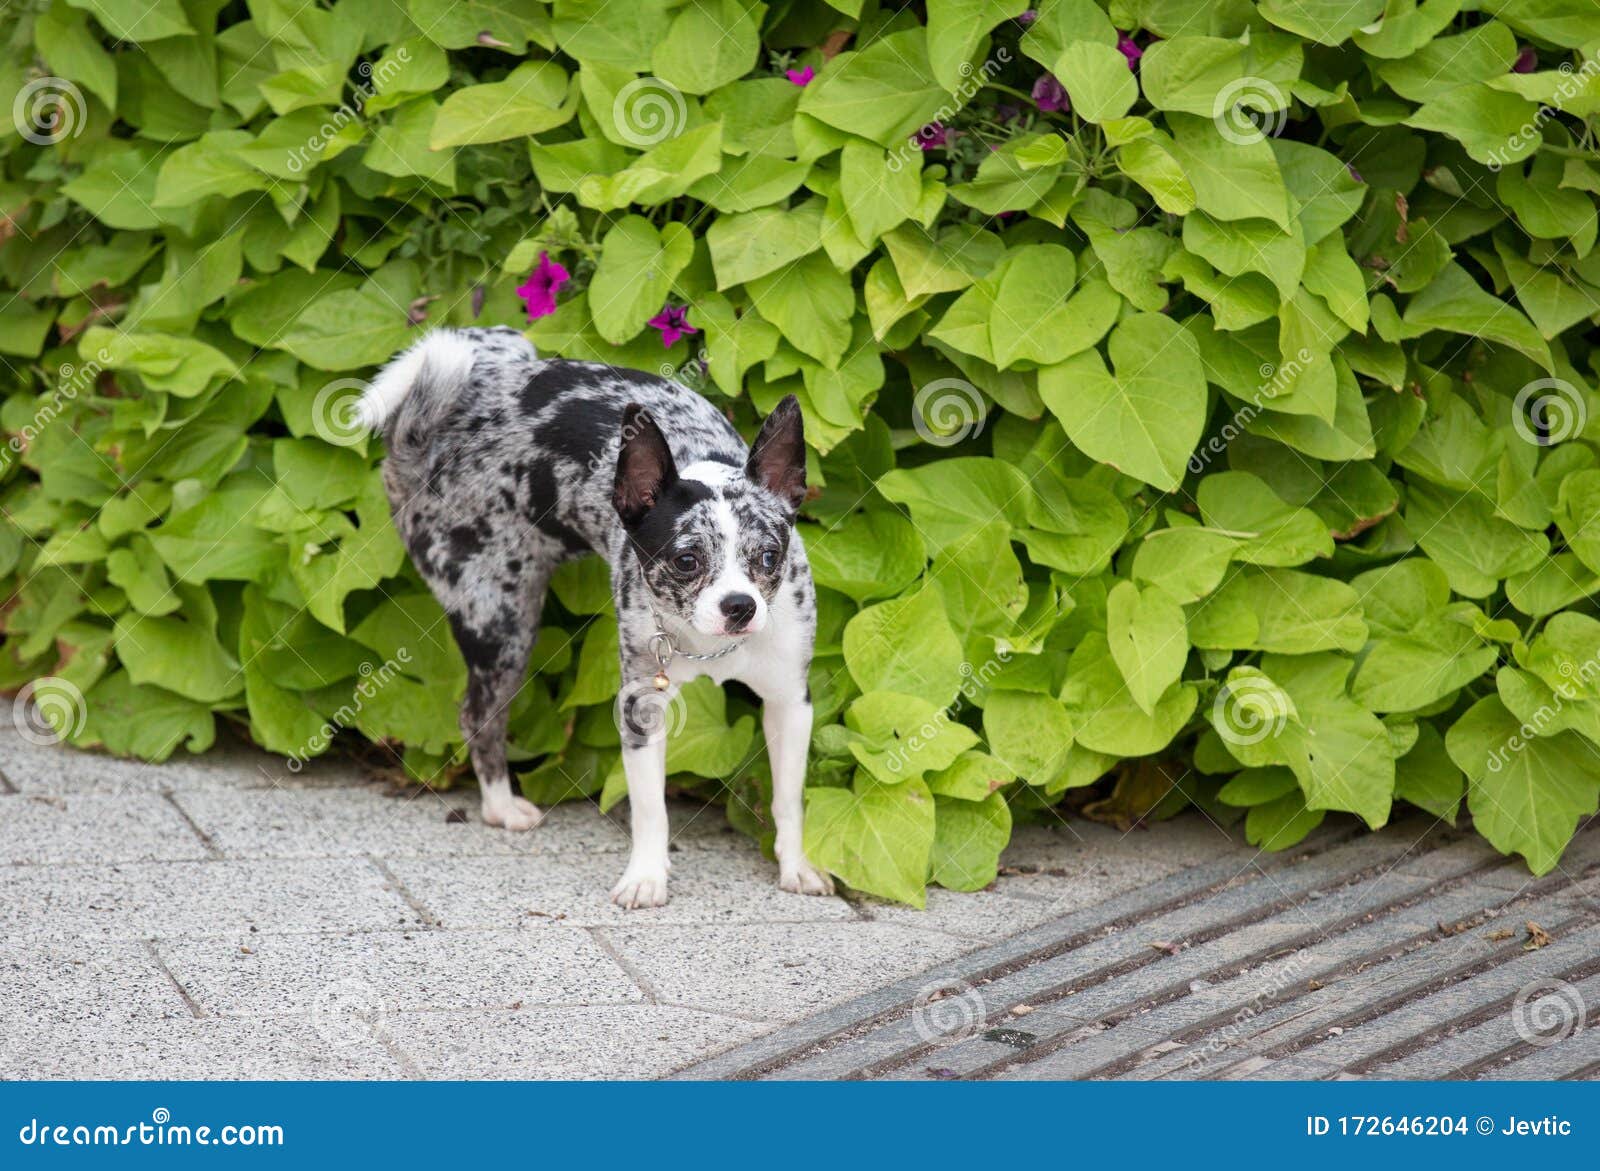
[217,917]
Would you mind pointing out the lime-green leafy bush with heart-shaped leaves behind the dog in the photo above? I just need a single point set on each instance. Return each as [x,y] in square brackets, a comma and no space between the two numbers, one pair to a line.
[1199,391]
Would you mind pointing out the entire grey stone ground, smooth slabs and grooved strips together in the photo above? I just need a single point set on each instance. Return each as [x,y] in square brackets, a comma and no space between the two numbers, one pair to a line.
[217,917]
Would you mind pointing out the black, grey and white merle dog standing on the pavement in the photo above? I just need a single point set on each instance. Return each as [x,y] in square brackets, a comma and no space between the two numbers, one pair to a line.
[503,465]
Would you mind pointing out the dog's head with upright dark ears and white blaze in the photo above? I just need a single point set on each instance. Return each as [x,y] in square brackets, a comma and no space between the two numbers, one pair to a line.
[714,540]
